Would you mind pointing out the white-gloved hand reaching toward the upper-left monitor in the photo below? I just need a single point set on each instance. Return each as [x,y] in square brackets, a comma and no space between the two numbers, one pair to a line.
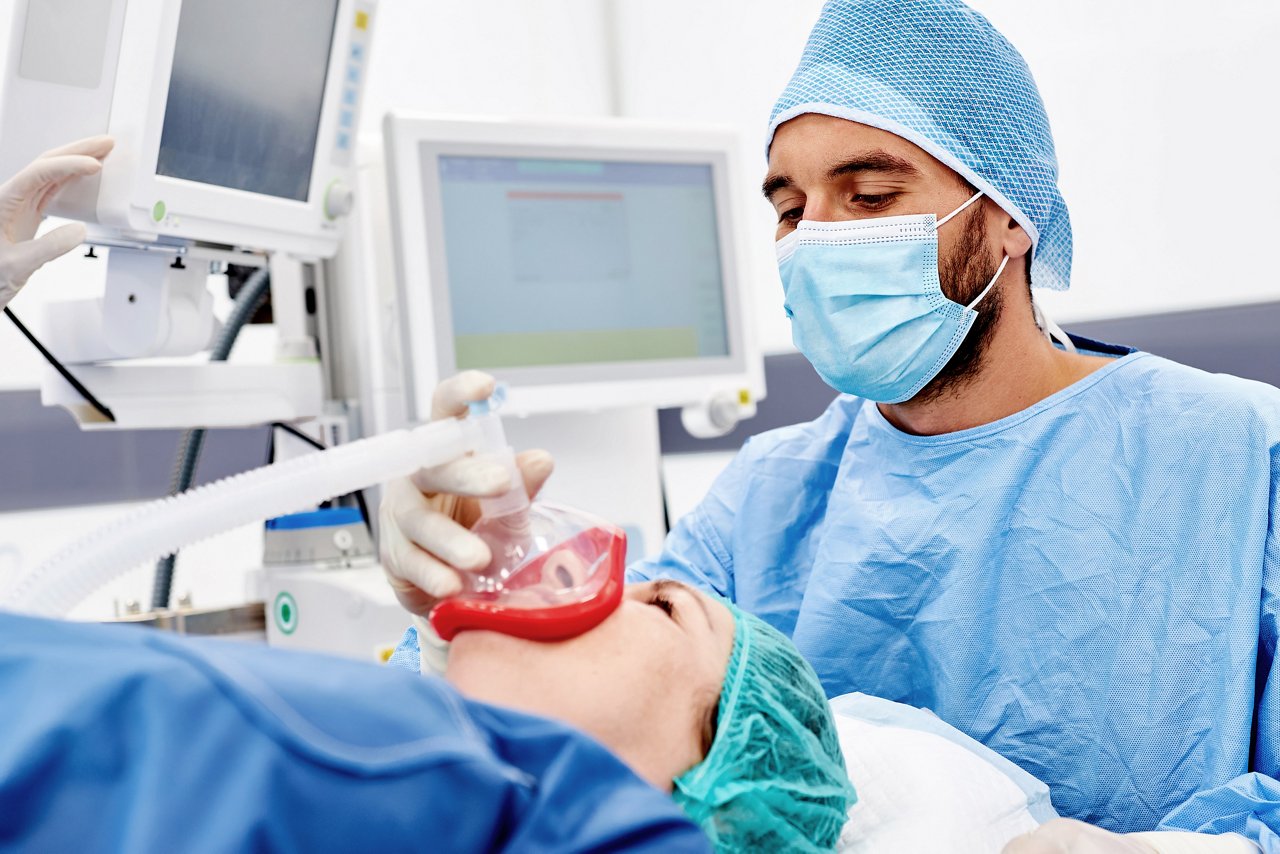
[24,200]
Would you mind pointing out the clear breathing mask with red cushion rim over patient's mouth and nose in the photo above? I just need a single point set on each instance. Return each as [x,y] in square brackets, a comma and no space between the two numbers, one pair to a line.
[556,574]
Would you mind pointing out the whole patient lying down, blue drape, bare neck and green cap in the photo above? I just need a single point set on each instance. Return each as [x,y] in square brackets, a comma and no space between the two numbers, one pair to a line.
[141,741]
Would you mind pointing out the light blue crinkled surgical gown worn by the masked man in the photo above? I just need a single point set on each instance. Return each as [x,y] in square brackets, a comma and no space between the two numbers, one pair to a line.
[1089,587]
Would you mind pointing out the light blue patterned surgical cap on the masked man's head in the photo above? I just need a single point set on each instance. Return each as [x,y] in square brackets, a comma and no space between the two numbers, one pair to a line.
[939,75]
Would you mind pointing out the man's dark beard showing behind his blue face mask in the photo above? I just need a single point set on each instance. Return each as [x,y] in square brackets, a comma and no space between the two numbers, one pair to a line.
[963,277]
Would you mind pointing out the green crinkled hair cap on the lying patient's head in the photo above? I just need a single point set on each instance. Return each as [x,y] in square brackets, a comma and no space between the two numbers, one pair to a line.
[775,778]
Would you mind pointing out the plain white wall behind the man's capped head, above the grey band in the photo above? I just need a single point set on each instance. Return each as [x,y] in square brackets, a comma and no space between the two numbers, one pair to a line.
[1165,121]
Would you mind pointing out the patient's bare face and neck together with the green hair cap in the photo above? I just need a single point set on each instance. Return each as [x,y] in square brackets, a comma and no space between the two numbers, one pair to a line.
[697,697]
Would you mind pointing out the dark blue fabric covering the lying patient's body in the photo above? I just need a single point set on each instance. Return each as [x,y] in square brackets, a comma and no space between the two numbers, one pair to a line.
[126,739]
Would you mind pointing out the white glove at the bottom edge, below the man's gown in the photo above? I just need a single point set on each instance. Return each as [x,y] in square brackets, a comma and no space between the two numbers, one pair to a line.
[1069,837]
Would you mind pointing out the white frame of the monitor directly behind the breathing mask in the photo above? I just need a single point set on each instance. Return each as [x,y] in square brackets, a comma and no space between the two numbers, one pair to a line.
[413,143]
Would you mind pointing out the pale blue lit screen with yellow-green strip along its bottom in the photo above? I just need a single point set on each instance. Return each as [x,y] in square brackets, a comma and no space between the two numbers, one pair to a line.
[556,262]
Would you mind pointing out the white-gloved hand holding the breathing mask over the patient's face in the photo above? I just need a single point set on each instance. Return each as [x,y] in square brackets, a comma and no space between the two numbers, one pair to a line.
[424,519]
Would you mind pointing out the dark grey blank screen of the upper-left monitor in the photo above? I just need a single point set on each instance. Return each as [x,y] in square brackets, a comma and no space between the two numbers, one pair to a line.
[245,98]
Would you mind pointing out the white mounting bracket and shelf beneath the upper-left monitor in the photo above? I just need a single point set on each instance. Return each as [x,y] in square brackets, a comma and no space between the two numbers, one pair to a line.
[157,307]
